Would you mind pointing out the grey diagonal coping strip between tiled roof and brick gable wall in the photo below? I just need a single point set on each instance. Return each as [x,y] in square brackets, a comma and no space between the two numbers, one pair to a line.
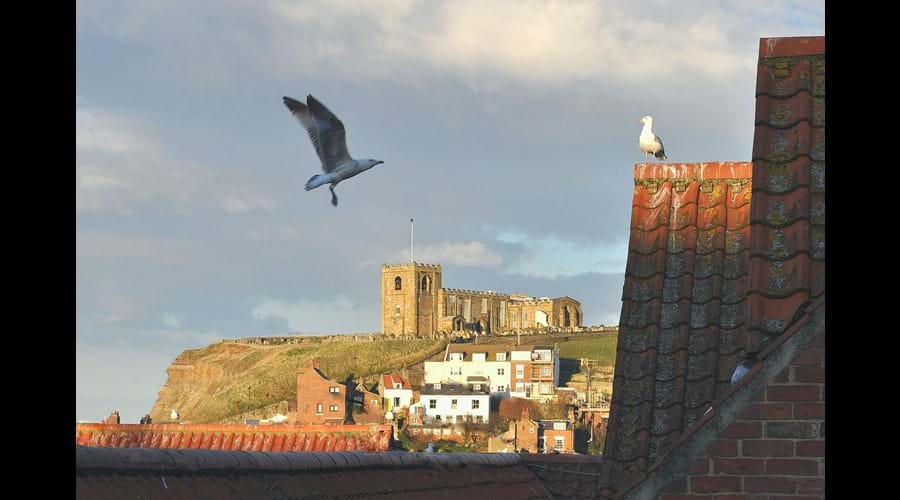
[675,460]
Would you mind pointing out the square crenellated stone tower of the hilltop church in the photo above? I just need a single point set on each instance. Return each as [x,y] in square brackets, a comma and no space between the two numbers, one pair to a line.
[409,299]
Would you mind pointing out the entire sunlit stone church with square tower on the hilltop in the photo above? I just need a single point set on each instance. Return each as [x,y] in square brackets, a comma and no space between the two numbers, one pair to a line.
[413,303]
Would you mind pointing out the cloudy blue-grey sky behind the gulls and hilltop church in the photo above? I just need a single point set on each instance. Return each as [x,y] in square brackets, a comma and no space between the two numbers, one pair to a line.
[508,131]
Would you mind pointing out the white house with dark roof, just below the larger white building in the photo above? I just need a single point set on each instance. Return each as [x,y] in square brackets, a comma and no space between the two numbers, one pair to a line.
[455,403]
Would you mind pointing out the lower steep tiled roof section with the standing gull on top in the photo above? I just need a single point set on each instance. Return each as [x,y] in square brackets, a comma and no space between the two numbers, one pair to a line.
[683,306]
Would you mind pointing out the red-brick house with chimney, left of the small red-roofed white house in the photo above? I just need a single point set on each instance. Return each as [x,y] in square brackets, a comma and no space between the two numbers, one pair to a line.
[319,399]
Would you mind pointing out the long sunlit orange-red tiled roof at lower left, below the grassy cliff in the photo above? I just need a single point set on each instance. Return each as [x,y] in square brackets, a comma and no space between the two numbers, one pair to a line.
[236,437]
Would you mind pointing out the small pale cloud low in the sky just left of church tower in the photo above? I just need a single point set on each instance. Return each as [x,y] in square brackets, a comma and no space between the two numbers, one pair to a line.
[339,314]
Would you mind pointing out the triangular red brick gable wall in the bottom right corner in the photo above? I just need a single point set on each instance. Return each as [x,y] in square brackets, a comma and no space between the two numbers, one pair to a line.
[776,449]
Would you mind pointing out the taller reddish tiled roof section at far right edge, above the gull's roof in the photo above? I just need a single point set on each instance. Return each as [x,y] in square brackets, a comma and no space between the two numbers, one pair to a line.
[788,215]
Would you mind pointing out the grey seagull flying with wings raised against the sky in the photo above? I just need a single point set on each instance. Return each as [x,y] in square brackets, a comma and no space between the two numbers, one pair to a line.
[328,136]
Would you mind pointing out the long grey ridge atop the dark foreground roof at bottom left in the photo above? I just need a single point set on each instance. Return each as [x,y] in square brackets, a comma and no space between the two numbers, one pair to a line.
[195,459]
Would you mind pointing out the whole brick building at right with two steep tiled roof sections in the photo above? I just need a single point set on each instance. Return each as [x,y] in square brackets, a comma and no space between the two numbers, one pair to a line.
[719,389]
